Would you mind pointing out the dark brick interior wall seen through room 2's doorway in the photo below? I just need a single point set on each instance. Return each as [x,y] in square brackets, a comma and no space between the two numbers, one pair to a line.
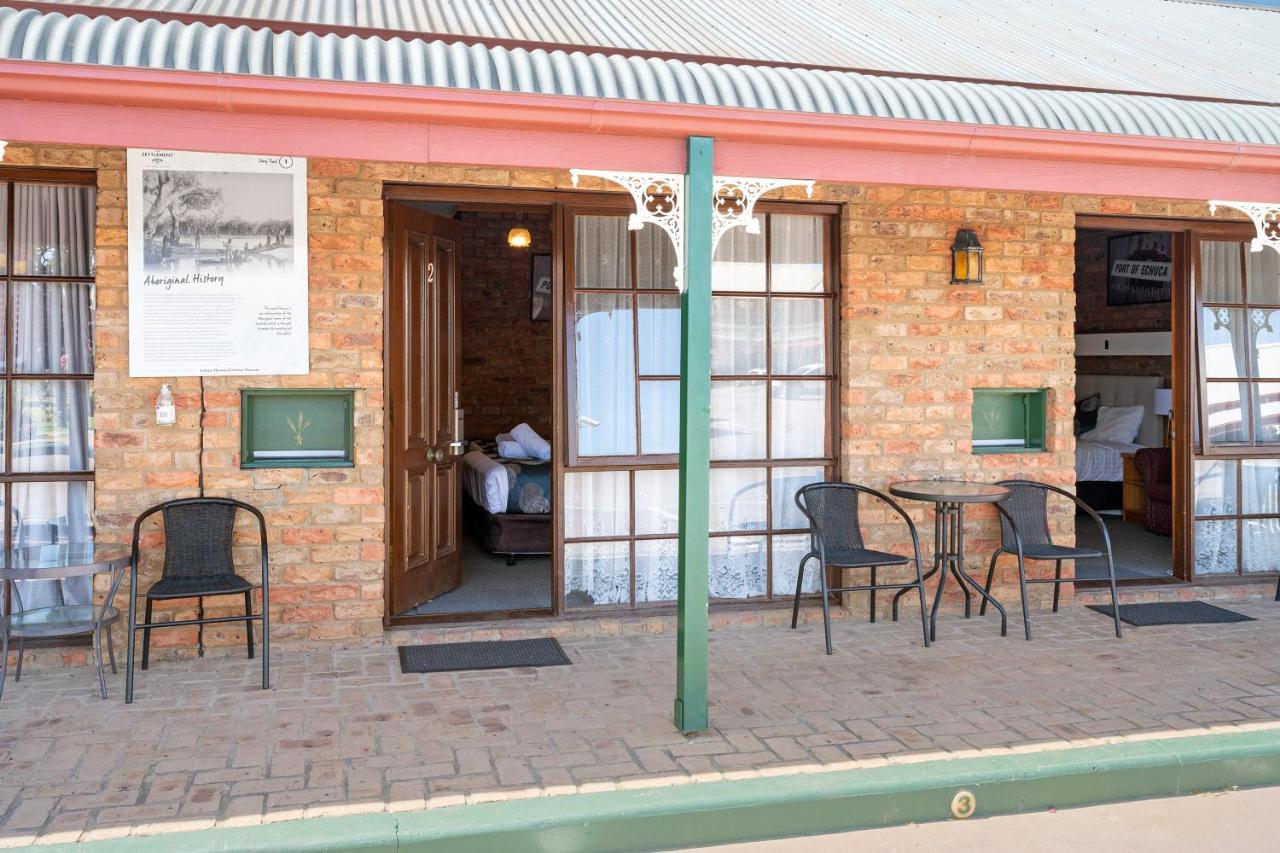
[506,372]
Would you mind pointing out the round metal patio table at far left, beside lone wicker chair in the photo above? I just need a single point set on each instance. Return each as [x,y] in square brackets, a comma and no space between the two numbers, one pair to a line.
[56,563]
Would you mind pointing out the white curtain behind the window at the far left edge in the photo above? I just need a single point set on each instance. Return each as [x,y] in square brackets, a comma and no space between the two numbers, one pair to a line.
[53,335]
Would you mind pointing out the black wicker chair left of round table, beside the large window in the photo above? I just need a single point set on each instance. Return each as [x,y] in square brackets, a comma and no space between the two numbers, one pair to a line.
[838,541]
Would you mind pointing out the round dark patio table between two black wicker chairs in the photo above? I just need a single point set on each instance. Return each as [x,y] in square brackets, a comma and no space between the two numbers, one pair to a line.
[950,499]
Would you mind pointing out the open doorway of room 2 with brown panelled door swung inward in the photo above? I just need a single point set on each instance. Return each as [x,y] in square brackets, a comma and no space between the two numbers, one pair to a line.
[477,343]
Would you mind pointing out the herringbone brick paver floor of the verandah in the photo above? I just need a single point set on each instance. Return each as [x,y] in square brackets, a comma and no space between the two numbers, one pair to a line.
[342,731]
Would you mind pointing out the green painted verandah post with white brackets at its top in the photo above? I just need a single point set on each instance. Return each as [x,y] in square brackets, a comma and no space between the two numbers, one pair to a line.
[696,407]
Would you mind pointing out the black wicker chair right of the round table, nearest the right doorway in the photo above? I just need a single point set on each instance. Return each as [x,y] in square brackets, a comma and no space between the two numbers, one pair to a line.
[1025,533]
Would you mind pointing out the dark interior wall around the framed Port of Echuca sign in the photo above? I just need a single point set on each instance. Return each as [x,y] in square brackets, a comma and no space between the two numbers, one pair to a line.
[1094,314]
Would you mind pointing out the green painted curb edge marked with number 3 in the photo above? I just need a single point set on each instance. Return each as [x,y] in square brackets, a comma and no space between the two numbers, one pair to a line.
[804,804]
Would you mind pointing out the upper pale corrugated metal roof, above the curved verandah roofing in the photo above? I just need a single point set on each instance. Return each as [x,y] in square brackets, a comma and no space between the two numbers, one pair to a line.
[1162,47]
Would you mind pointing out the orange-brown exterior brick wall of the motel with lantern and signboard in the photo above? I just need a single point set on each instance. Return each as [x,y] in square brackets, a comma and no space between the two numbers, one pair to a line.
[913,348]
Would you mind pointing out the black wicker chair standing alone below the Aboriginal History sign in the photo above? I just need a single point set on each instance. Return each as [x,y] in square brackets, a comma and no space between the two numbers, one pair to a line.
[198,564]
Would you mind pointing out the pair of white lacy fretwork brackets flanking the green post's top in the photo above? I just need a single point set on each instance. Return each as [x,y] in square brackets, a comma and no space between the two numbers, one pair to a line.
[660,199]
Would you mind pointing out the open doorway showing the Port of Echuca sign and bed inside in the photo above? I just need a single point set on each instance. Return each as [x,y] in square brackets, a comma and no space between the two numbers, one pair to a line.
[1127,285]
